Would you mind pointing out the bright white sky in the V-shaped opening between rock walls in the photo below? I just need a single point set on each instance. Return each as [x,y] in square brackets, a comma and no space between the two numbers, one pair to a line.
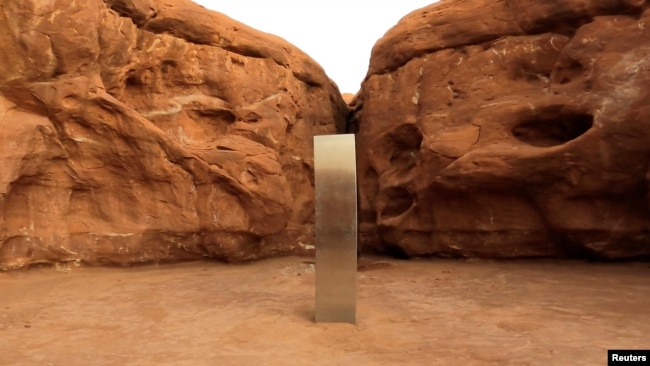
[338,34]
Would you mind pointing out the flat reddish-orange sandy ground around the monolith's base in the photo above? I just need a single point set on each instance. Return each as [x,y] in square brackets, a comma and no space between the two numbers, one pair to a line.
[421,312]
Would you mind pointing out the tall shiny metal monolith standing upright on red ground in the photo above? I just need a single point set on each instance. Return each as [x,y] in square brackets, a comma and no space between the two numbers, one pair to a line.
[336,228]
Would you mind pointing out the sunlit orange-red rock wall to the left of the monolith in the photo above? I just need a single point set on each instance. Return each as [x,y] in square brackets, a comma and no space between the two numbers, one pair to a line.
[150,130]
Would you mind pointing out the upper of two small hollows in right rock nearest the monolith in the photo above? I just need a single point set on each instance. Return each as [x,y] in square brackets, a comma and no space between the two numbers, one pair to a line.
[404,142]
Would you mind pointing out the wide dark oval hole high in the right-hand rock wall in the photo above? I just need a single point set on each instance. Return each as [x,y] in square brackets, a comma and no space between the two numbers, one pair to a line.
[552,128]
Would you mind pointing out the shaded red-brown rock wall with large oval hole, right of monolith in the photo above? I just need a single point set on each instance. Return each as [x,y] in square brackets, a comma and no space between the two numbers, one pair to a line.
[509,128]
